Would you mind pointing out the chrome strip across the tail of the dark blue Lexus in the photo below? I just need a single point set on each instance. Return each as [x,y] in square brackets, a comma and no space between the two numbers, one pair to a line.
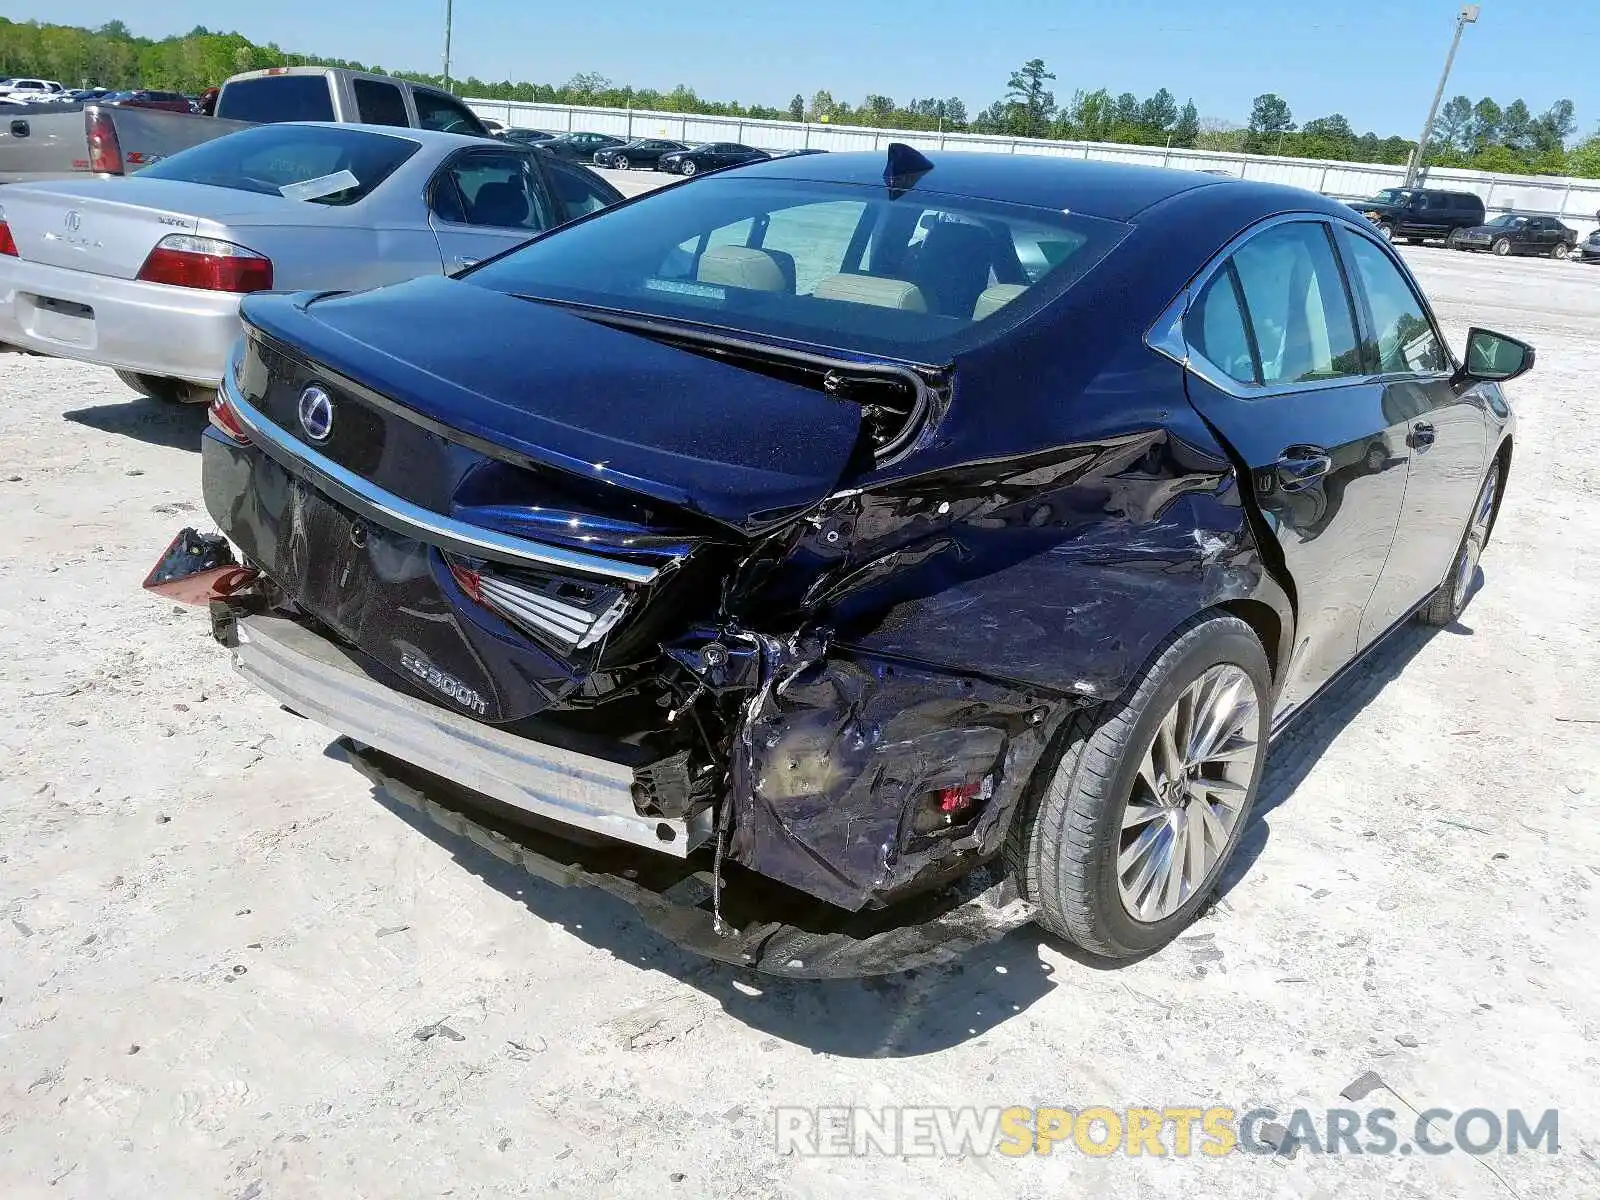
[414,521]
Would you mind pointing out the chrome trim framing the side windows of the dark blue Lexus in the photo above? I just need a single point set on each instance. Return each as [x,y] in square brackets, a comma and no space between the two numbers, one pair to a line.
[1167,334]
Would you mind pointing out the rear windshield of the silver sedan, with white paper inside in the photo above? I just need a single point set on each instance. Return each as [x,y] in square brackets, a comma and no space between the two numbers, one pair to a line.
[319,164]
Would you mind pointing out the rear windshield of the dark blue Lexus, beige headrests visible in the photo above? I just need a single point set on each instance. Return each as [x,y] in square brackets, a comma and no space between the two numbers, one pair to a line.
[858,268]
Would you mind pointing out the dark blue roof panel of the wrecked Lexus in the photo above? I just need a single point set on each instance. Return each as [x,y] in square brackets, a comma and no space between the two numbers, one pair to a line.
[1108,190]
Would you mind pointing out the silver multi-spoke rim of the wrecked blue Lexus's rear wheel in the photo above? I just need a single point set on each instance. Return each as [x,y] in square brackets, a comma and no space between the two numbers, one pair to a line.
[1191,788]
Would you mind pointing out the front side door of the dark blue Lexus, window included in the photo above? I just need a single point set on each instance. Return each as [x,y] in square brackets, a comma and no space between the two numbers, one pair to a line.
[1446,434]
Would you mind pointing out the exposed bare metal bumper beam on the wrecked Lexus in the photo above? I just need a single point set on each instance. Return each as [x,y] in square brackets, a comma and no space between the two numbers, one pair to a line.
[314,678]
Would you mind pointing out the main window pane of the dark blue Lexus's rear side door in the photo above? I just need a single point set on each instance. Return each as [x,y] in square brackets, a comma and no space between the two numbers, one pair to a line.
[1297,303]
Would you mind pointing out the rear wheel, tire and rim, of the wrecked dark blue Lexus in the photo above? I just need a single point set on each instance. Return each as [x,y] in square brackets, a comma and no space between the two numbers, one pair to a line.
[1068,842]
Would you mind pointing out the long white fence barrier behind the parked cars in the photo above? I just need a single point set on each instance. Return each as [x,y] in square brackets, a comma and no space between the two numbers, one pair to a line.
[1575,201]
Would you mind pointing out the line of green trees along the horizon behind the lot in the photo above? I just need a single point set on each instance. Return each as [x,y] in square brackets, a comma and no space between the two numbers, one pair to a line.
[1478,135]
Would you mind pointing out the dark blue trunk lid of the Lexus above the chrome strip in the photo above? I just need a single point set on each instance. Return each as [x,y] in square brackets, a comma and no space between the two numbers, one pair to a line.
[436,366]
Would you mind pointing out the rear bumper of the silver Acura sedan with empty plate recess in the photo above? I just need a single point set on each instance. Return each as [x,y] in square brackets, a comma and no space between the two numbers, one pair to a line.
[148,329]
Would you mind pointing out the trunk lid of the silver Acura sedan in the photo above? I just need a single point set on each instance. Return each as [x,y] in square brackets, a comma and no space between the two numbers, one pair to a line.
[110,226]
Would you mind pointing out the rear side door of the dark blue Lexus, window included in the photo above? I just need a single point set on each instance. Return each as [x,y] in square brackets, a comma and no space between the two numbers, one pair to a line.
[1276,366]
